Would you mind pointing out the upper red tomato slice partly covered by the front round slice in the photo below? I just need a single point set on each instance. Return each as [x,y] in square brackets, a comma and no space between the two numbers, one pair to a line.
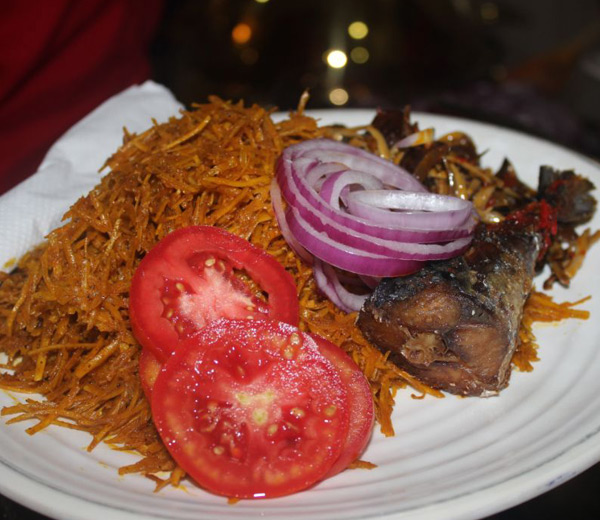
[200,273]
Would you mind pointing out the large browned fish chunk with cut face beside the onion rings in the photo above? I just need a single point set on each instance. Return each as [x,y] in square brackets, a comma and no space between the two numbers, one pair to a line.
[454,324]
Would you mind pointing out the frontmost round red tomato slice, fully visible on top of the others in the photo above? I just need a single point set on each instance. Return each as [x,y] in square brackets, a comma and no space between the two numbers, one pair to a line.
[251,409]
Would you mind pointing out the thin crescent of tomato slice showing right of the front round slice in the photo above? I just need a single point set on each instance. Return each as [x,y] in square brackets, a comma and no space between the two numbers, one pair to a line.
[361,406]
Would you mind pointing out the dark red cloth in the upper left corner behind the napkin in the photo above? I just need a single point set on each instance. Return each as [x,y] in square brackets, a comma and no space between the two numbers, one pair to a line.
[58,60]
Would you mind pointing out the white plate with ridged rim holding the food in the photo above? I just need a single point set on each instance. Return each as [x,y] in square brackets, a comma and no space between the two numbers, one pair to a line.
[451,458]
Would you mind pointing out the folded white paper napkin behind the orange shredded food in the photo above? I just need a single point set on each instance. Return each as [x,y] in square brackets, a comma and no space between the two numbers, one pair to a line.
[32,209]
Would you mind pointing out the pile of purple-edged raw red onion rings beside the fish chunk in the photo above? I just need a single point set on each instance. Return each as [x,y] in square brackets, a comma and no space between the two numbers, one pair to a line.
[358,212]
